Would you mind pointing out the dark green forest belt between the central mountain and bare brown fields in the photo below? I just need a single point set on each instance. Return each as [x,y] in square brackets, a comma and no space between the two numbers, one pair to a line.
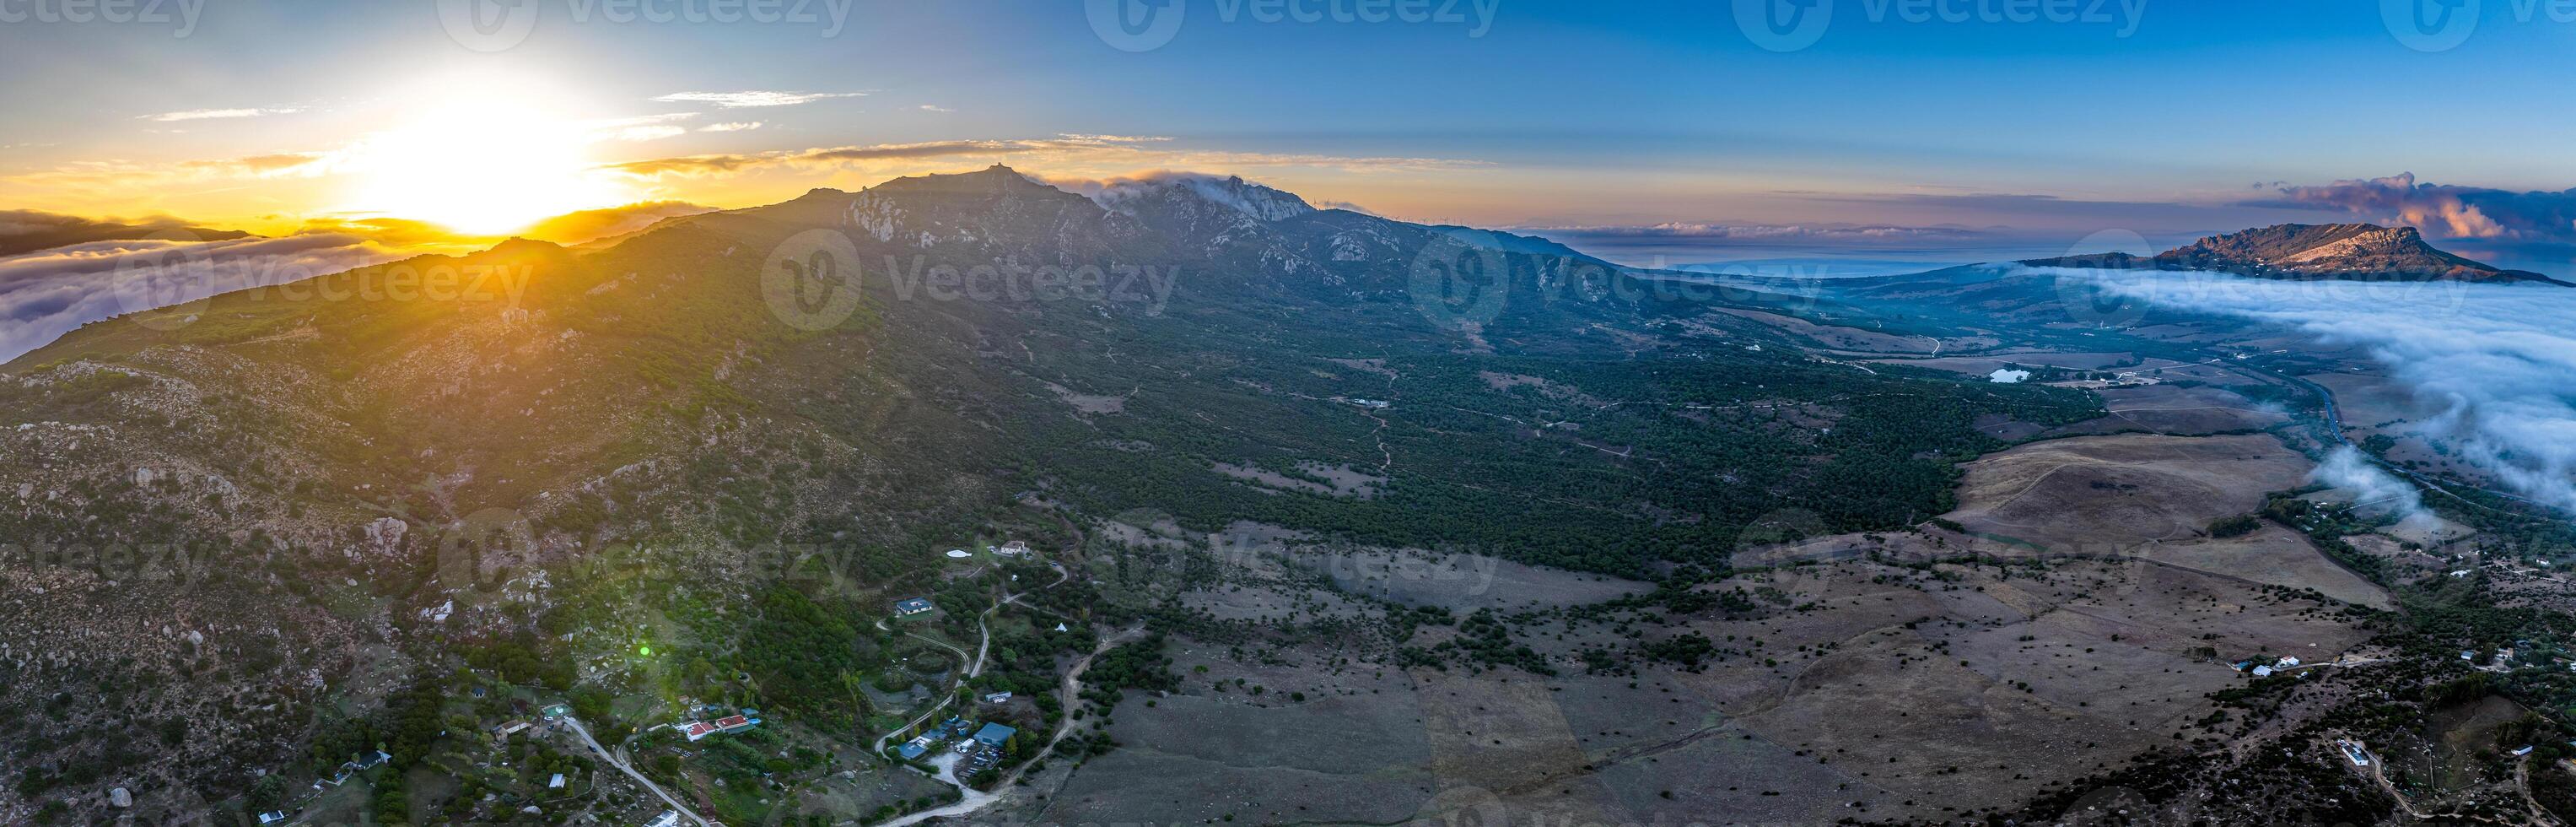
[1588,465]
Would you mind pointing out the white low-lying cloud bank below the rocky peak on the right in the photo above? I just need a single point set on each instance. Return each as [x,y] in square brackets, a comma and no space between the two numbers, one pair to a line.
[2497,362]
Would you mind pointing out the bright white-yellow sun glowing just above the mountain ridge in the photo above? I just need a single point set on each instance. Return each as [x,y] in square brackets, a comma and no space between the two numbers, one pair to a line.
[483,164]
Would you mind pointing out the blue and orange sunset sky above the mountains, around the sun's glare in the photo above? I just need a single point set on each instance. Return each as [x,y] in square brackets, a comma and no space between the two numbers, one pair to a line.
[1588,120]
